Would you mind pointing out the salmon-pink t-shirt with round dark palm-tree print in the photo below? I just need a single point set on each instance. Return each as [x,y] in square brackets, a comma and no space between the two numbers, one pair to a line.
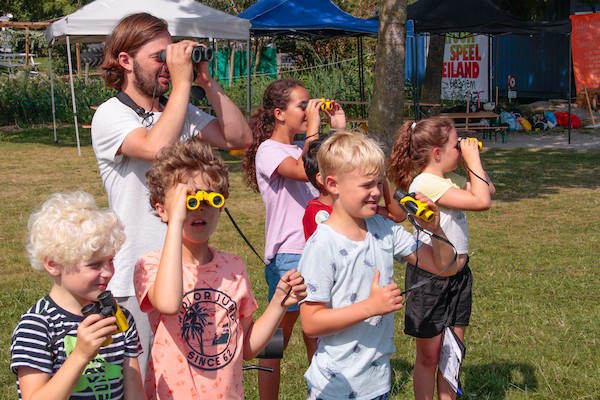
[197,353]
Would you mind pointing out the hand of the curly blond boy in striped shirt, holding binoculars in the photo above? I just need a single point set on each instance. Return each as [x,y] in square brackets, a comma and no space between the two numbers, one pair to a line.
[92,332]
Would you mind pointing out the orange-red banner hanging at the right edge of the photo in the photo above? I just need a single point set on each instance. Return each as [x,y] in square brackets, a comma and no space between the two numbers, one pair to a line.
[586,50]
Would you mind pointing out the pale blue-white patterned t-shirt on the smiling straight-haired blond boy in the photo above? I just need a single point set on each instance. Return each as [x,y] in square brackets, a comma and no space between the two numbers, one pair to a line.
[353,363]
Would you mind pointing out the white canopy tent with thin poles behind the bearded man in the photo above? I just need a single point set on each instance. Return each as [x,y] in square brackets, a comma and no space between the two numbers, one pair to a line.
[186,19]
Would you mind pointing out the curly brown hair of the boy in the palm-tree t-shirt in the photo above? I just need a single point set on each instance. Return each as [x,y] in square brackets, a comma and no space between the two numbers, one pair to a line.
[180,162]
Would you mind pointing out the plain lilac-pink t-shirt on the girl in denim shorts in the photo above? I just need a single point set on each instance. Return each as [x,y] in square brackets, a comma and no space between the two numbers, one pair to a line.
[285,199]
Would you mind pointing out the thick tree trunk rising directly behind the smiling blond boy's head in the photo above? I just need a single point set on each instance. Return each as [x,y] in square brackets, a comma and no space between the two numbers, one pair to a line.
[386,108]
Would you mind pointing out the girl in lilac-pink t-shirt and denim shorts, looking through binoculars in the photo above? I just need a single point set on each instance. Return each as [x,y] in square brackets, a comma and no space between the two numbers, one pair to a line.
[274,167]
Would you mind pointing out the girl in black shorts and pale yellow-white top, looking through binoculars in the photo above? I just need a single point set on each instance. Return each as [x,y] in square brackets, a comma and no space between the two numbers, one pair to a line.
[423,160]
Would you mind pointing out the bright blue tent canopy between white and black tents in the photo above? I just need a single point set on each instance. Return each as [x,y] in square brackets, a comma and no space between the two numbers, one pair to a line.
[305,17]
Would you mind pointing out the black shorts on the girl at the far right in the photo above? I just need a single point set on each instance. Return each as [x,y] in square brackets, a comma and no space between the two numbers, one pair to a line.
[441,302]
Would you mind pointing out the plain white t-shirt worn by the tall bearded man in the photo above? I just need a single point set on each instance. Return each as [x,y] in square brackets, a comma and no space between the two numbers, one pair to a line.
[125,181]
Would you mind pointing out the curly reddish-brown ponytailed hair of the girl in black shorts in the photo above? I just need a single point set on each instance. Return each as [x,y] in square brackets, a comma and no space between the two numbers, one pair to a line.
[412,150]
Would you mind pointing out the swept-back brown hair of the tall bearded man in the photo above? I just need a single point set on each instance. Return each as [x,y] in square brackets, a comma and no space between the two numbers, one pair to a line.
[130,34]
